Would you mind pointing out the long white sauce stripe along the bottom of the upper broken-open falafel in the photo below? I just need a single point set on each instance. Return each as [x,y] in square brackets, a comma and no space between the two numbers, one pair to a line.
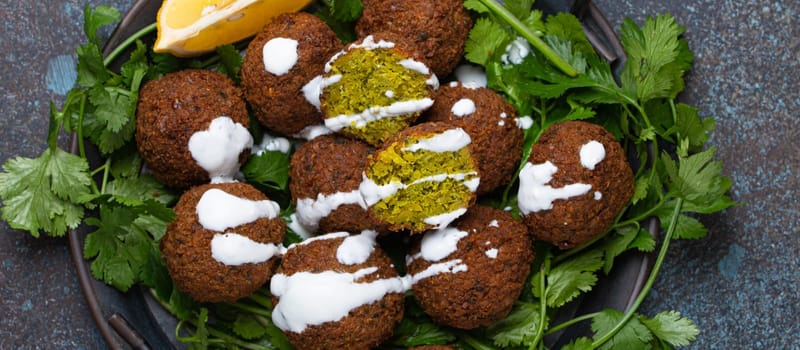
[360,120]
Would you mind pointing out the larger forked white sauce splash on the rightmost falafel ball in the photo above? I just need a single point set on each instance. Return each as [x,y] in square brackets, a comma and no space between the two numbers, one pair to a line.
[534,192]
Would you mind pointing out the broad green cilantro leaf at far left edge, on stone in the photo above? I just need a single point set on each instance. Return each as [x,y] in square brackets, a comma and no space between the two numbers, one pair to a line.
[39,194]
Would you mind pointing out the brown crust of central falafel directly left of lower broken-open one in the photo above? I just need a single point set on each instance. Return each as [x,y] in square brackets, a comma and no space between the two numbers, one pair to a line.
[330,164]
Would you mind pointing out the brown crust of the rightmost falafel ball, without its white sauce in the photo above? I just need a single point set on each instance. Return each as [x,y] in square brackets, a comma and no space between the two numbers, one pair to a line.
[578,220]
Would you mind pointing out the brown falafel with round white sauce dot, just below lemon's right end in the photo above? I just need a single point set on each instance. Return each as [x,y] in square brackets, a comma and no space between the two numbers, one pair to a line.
[287,54]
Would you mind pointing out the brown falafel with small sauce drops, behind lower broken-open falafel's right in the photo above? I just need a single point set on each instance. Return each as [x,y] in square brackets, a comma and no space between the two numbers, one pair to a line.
[491,123]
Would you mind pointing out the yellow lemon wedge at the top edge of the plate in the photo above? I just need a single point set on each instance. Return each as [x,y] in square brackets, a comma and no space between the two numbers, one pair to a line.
[194,27]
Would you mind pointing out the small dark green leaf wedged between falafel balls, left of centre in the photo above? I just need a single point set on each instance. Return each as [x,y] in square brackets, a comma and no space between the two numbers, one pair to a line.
[270,169]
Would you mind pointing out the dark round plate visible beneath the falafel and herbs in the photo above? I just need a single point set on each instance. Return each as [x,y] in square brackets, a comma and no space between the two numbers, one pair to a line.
[135,320]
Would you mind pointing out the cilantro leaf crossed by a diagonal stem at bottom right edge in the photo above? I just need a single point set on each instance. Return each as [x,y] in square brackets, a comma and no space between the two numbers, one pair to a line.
[634,335]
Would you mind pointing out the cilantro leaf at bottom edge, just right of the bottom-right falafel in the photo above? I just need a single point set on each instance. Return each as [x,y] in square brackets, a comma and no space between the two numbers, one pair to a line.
[518,328]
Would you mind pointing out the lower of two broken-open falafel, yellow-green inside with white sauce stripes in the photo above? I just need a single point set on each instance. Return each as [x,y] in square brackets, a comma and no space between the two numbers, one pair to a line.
[422,178]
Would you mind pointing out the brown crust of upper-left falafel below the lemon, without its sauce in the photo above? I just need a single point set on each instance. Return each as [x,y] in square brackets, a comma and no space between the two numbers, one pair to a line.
[171,109]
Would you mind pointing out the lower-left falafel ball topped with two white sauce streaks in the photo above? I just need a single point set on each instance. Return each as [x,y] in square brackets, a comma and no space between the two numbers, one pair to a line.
[223,243]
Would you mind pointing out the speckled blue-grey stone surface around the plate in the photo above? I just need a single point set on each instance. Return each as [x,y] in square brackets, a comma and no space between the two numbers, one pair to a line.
[740,284]
